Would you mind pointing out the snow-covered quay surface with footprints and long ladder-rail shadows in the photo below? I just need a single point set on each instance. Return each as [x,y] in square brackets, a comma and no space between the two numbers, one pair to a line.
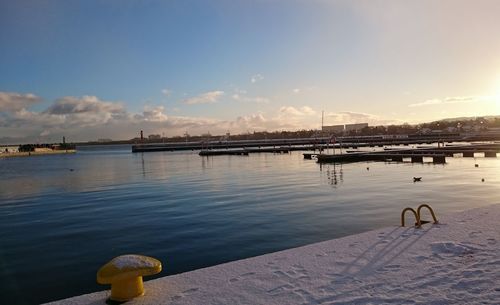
[454,262]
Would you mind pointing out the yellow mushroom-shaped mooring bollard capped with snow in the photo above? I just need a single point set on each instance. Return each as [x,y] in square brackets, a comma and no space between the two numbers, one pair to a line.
[125,273]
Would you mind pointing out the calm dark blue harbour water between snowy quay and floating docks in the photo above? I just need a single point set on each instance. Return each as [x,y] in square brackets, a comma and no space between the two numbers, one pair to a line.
[59,226]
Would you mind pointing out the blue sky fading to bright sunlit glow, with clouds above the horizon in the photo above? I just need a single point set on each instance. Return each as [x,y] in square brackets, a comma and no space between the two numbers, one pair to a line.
[108,69]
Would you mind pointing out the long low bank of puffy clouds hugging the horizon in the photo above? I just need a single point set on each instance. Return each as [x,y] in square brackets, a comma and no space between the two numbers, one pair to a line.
[89,118]
